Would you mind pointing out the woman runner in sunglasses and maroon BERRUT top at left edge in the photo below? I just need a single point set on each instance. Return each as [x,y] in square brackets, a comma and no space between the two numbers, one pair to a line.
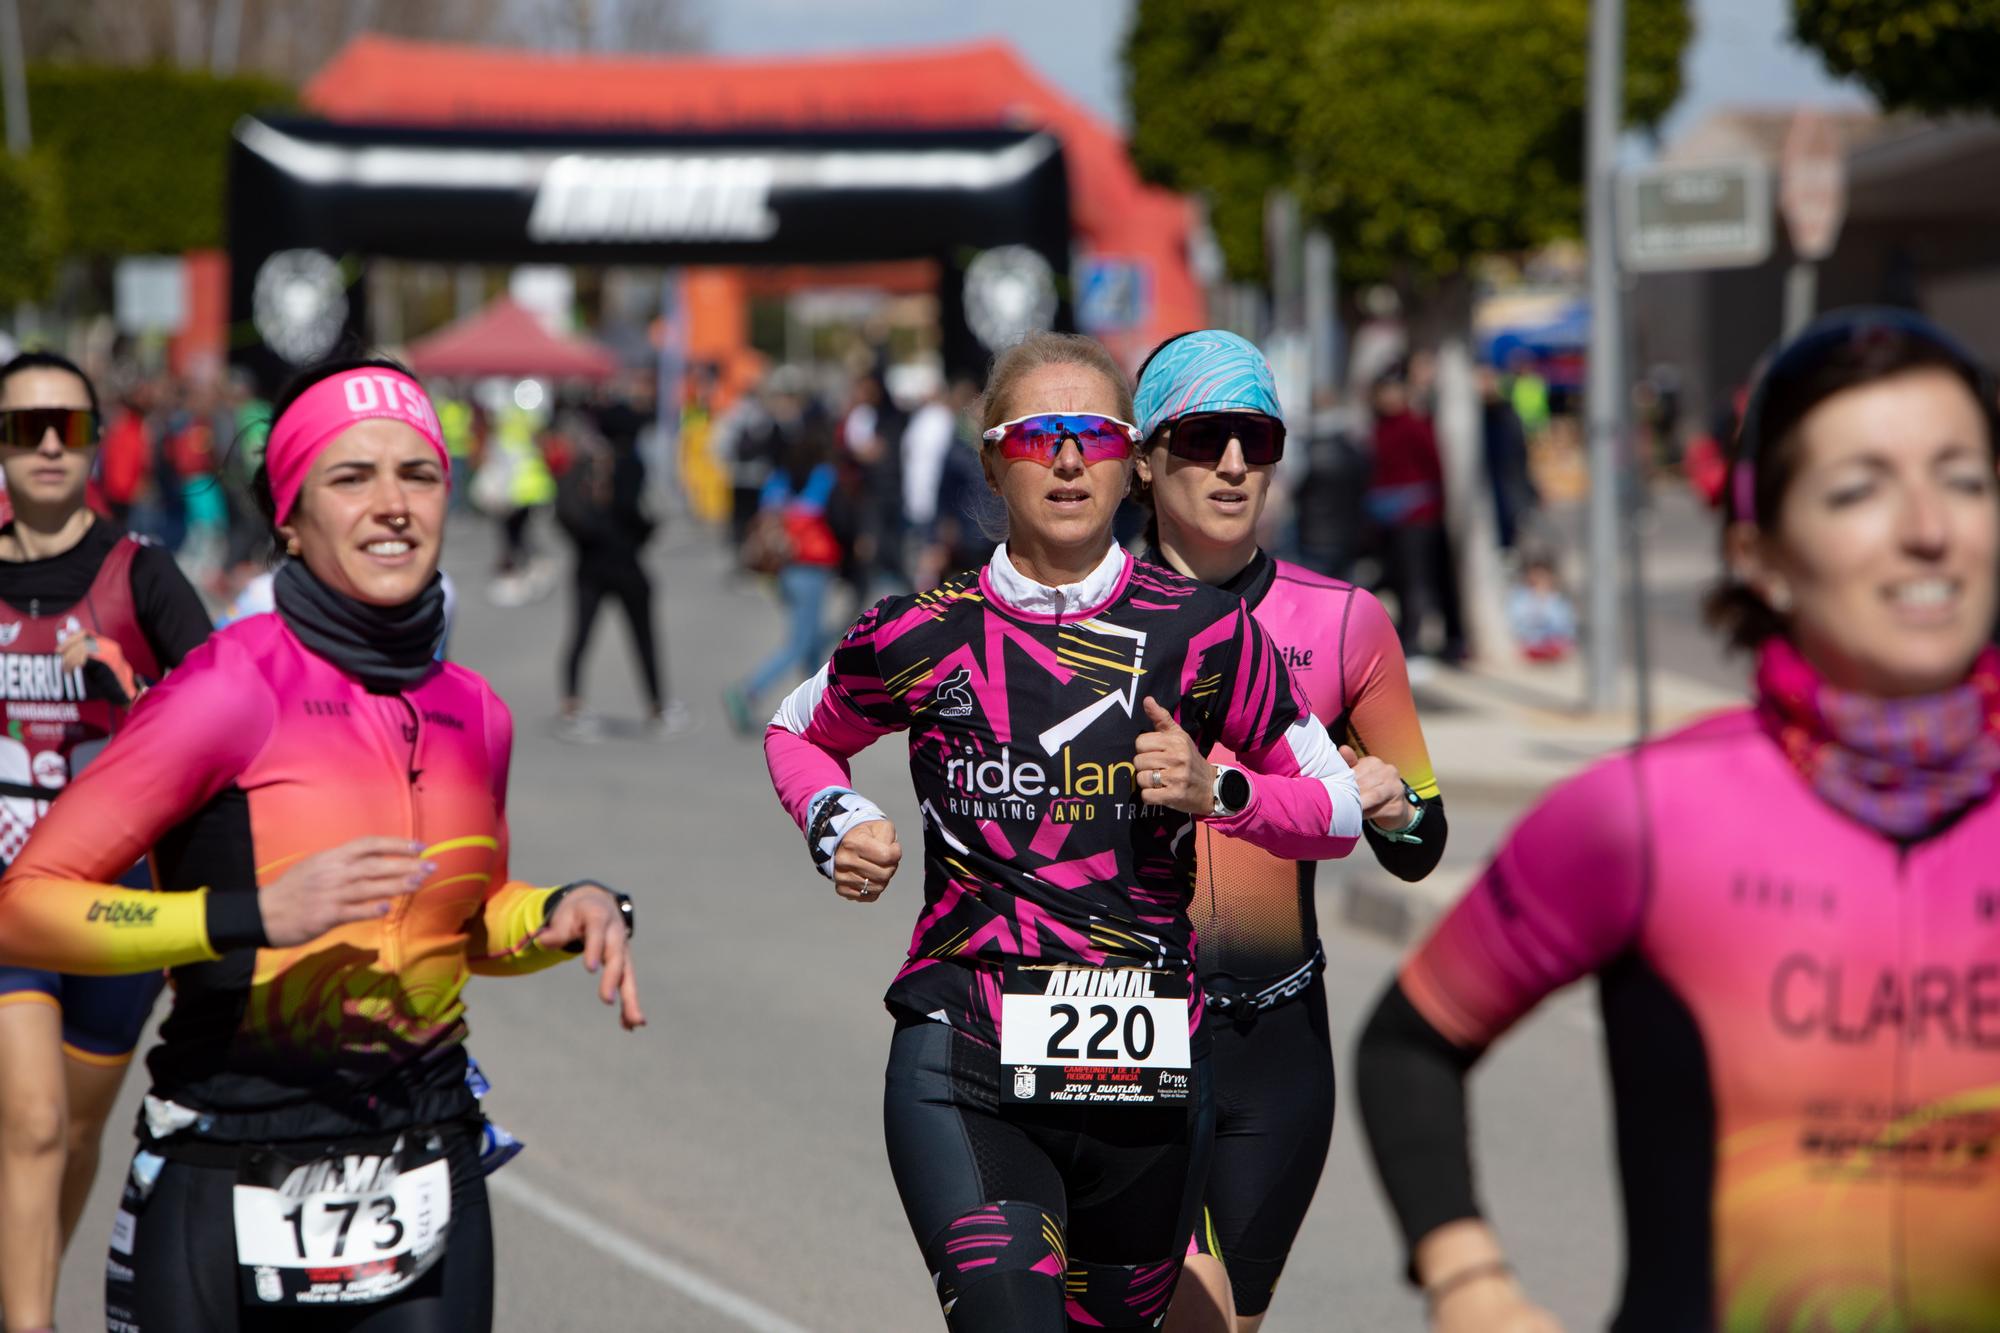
[89,619]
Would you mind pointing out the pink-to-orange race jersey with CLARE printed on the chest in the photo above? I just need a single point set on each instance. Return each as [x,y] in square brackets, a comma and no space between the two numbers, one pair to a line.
[1803,1022]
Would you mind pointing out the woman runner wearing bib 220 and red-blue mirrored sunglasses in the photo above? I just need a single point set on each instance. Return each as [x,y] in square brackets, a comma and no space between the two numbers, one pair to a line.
[1049,1104]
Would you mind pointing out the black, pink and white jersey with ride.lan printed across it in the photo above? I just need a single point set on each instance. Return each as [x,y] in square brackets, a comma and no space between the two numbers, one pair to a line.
[1023,708]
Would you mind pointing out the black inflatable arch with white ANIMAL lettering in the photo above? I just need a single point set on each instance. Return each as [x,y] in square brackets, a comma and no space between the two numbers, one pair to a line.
[313,201]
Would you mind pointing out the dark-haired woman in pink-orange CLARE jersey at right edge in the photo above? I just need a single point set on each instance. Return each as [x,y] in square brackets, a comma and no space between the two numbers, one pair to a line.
[1791,910]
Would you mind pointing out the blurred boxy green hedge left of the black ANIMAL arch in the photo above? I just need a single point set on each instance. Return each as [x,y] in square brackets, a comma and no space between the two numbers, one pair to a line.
[143,155]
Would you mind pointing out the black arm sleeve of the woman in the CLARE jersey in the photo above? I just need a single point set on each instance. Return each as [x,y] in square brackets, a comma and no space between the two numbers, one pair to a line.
[1411,1084]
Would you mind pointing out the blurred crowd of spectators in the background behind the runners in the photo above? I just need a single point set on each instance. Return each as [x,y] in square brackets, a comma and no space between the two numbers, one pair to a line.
[829,481]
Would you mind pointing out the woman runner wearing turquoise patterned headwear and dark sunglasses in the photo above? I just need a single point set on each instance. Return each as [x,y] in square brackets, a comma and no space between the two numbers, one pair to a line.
[1215,433]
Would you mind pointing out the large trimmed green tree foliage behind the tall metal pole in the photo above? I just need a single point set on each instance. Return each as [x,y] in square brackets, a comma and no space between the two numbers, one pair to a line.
[1423,133]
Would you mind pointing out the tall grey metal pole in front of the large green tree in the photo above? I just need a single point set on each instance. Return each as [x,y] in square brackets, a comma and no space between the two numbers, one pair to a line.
[1607,391]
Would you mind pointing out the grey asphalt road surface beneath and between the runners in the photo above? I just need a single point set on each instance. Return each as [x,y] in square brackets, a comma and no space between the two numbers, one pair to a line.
[725,1170]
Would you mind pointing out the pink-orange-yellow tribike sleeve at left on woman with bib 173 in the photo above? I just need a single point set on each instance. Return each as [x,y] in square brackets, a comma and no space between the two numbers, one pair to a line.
[187,742]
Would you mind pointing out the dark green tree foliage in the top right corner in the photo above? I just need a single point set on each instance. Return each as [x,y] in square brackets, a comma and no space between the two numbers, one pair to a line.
[1913,55]
